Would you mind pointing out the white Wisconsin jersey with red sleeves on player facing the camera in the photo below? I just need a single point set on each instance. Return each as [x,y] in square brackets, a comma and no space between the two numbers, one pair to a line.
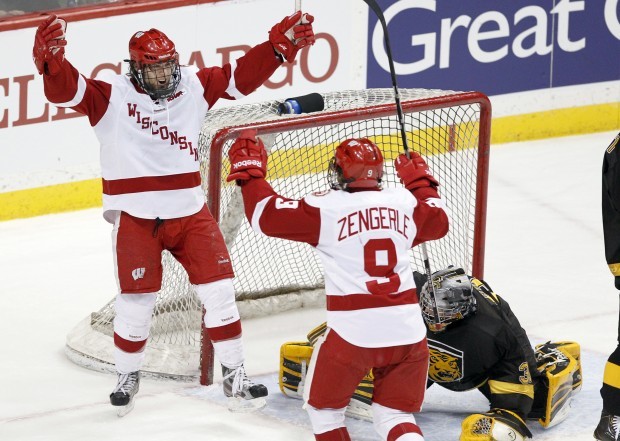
[148,149]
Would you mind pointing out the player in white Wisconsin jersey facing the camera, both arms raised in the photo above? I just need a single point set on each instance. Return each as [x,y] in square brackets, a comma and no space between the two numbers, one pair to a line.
[148,122]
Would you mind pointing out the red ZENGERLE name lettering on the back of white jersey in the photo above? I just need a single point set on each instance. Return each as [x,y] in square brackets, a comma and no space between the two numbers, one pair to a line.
[375,218]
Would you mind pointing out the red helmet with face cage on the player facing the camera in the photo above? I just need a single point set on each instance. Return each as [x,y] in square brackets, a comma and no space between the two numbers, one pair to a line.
[154,63]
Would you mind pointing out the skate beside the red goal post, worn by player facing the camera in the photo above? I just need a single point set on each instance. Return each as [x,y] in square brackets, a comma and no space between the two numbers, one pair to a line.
[243,395]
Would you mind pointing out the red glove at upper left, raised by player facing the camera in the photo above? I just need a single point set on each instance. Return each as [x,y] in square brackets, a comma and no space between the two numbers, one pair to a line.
[48,52]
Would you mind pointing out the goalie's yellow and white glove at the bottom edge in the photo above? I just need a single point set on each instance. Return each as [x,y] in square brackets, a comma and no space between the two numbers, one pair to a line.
[496,425]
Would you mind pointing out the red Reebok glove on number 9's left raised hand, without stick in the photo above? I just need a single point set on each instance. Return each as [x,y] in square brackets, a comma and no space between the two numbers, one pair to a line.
[248,158]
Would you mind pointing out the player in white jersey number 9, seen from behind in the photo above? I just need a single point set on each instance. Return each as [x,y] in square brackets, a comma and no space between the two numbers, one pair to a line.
[363,234]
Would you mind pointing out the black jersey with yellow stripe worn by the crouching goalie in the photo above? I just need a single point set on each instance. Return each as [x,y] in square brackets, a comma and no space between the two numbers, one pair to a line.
[488,350]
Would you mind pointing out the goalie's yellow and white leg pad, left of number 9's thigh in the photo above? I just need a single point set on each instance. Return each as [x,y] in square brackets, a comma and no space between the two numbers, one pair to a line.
[294,361]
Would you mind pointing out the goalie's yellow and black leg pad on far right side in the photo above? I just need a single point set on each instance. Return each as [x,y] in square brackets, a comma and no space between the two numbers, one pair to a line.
[560,365]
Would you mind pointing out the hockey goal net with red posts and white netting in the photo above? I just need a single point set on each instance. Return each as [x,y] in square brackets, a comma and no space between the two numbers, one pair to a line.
[450,129]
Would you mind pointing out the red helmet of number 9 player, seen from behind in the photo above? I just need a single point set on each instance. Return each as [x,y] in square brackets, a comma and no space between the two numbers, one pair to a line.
[357,163]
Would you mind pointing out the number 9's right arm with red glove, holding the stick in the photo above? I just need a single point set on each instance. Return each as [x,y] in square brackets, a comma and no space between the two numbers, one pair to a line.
[430,217]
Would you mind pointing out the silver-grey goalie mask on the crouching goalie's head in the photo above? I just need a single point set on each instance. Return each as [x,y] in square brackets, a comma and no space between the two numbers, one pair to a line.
[454,297]
